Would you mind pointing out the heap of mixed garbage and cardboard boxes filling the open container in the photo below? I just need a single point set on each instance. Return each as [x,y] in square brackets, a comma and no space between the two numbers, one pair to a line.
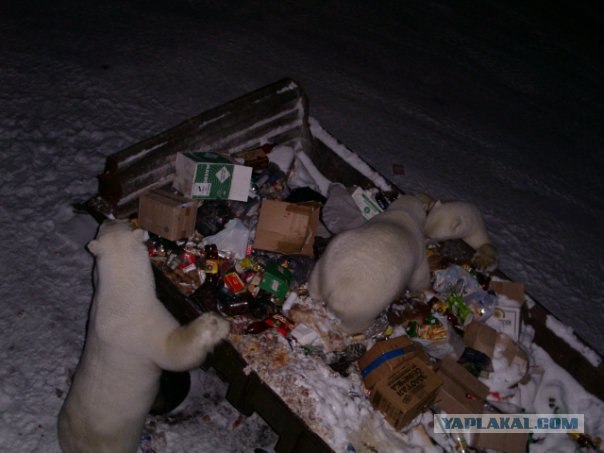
[248,256]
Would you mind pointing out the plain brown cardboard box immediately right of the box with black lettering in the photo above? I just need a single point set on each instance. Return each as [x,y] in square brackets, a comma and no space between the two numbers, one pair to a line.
[461,392]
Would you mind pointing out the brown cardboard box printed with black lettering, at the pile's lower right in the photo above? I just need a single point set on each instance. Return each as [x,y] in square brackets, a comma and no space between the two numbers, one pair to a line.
[406,392]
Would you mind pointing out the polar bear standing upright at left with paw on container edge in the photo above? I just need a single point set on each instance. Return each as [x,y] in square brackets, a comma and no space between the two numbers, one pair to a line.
[131,338]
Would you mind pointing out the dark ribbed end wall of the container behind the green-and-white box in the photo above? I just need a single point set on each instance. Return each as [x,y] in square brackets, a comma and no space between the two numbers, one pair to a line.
[270,113]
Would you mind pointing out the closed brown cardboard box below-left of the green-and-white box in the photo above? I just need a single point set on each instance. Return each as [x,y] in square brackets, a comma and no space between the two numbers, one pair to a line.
[167,214]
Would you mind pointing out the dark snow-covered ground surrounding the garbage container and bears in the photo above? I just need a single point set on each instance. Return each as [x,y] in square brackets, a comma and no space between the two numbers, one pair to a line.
[479,100]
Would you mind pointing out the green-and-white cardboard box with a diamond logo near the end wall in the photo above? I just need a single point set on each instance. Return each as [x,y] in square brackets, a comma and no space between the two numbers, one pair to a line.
[203,175]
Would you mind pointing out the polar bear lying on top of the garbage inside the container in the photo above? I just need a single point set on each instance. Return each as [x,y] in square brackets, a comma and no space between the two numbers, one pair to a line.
[363,270]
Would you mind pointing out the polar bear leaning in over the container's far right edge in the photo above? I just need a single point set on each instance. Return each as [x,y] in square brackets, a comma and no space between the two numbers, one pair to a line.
[462,220]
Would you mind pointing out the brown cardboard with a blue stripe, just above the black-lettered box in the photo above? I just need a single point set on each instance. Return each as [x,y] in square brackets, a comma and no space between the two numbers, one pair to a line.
[379,362]
